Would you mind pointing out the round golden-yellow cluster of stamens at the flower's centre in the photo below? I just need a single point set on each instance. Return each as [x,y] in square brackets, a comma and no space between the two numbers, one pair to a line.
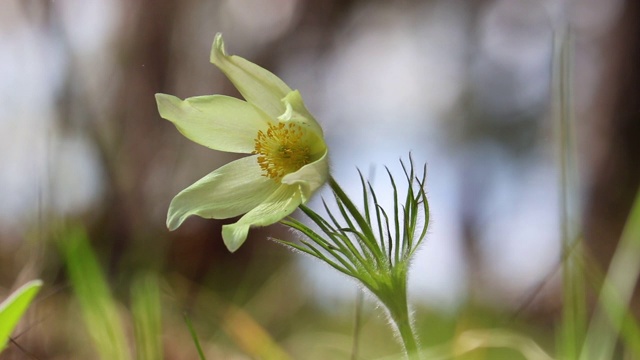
[281,150]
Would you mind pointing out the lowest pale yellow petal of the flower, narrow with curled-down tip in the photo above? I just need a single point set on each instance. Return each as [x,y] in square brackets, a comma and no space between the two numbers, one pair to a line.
[276,207]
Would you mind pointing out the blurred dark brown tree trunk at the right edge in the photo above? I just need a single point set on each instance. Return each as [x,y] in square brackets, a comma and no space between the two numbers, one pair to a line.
[616,165]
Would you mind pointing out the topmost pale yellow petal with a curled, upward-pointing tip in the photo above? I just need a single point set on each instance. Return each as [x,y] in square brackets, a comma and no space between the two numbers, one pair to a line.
[257,85]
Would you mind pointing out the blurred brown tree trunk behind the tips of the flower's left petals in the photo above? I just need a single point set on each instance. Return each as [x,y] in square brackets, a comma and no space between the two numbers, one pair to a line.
[131,140]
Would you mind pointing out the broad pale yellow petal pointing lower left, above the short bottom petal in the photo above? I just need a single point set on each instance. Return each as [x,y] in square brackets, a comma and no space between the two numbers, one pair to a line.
[229,191]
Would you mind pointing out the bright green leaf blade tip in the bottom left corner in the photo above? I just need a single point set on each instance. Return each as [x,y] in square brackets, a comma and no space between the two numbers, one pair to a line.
[12,309]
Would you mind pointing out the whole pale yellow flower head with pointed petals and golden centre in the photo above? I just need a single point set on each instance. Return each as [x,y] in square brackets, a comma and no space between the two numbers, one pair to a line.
[288,155]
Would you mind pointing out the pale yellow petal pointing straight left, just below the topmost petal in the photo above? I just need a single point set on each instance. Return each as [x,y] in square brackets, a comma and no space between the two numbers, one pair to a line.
[217,122]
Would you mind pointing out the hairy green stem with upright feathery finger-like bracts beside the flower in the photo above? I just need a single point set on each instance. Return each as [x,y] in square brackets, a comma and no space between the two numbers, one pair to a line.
[372,244]
